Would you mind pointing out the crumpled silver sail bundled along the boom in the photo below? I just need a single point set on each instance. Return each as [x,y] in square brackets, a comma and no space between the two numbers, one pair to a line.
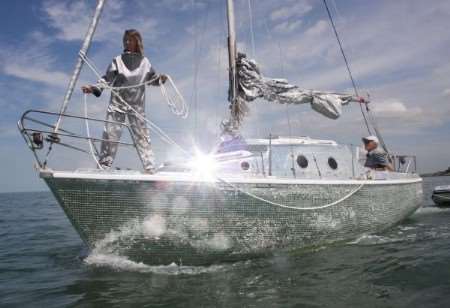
[252,84]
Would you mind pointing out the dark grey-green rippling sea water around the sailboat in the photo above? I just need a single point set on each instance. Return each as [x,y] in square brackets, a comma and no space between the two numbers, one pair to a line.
[43,263]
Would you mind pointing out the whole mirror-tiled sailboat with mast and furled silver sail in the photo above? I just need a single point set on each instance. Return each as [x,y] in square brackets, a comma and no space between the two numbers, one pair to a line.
[251,197]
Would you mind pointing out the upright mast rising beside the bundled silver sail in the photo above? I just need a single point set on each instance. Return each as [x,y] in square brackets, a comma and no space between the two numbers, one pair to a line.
[232,61]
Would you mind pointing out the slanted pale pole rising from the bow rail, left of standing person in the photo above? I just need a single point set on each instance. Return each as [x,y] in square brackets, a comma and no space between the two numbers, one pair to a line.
[84,49]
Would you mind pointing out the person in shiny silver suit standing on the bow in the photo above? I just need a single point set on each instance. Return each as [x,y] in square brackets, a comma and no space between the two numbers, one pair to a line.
[131,68]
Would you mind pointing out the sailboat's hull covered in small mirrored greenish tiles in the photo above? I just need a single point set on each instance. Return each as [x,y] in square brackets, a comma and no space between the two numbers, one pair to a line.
[196,223]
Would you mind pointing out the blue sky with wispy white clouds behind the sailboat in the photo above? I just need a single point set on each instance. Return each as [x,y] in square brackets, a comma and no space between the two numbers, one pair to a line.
[398,52]
